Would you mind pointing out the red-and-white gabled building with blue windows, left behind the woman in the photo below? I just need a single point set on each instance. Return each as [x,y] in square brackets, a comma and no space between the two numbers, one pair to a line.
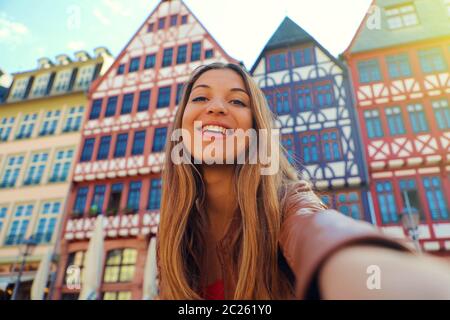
[118,170]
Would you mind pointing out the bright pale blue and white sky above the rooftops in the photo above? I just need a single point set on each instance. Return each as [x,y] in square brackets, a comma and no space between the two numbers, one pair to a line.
[31,29]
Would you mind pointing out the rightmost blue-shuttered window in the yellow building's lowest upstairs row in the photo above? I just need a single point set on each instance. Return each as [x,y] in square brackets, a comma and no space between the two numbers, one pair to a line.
[48,218]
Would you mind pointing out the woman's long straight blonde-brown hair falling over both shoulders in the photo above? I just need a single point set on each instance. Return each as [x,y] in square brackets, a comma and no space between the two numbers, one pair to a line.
[261,201]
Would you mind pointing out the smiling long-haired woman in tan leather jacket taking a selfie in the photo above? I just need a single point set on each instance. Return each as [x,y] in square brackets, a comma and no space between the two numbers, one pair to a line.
[227,231]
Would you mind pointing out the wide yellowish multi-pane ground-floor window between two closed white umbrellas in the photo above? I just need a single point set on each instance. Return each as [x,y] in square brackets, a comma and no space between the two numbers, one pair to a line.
[120,265]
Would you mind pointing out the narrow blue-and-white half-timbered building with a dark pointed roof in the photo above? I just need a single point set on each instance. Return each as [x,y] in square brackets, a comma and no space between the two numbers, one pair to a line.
[309,92]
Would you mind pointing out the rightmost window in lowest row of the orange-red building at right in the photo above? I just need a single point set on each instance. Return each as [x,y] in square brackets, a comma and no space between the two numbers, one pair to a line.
[436,199]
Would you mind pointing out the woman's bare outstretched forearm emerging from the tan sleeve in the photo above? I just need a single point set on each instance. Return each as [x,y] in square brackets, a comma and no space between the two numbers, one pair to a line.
[369,272]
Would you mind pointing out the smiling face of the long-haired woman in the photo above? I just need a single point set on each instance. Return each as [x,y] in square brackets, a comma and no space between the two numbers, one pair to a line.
[218,104]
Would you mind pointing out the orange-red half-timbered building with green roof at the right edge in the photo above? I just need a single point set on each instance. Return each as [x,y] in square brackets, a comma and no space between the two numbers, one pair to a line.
[399,62]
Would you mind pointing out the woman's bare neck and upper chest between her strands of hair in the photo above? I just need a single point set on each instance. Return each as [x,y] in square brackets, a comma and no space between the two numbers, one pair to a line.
[221,201]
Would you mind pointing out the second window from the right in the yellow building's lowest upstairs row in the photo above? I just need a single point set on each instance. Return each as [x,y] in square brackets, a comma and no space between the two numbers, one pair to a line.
[19,225]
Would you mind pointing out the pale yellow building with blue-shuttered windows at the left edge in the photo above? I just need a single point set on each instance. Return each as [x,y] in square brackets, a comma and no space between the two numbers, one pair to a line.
[40,124]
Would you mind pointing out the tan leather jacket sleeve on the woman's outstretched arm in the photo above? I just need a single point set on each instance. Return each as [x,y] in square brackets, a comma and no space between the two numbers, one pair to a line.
[306,240]
